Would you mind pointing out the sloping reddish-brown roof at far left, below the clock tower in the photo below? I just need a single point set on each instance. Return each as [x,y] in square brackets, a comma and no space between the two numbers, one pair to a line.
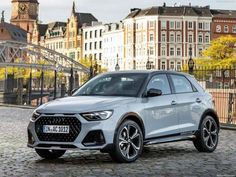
[16,32]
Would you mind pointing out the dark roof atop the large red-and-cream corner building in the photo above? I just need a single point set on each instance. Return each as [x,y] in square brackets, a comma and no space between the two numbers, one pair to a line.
[172,11]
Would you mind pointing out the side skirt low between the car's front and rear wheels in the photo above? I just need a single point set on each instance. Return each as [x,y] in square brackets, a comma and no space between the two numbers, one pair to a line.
[171,138]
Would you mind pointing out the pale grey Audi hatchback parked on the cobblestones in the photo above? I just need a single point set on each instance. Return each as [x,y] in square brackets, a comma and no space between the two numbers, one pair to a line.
[120,112]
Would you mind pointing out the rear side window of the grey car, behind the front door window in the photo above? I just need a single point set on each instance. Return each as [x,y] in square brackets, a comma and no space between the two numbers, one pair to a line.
[181,84]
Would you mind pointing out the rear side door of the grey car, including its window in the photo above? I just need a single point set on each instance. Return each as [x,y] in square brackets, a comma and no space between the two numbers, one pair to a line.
[188,103]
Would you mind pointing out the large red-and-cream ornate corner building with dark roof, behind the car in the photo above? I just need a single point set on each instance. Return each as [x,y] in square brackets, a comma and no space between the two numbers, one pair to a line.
[164,36]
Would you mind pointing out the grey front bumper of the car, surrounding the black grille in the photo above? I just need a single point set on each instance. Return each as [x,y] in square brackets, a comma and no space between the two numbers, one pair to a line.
[93,135]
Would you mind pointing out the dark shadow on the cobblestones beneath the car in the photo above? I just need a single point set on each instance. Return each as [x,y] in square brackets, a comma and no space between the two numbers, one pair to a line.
[97,157]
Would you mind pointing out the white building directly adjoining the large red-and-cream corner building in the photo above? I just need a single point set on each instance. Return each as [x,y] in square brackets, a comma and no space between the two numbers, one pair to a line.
[113,46]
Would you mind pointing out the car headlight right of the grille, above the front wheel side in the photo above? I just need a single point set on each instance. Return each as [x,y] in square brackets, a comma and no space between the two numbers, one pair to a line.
[99,115]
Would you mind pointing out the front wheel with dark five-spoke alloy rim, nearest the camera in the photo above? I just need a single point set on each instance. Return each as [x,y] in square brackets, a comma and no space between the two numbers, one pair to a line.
[128,142]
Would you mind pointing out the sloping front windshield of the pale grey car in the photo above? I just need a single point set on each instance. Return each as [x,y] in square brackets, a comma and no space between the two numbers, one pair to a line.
[117,84]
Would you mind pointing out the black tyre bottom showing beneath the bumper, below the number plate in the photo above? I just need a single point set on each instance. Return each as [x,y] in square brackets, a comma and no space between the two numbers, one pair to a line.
[50,154]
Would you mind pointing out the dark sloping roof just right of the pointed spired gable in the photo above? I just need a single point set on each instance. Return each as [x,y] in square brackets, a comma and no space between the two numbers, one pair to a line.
[85,18]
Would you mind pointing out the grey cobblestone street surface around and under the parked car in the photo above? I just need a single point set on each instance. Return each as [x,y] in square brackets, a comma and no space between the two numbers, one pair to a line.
[174,159]
